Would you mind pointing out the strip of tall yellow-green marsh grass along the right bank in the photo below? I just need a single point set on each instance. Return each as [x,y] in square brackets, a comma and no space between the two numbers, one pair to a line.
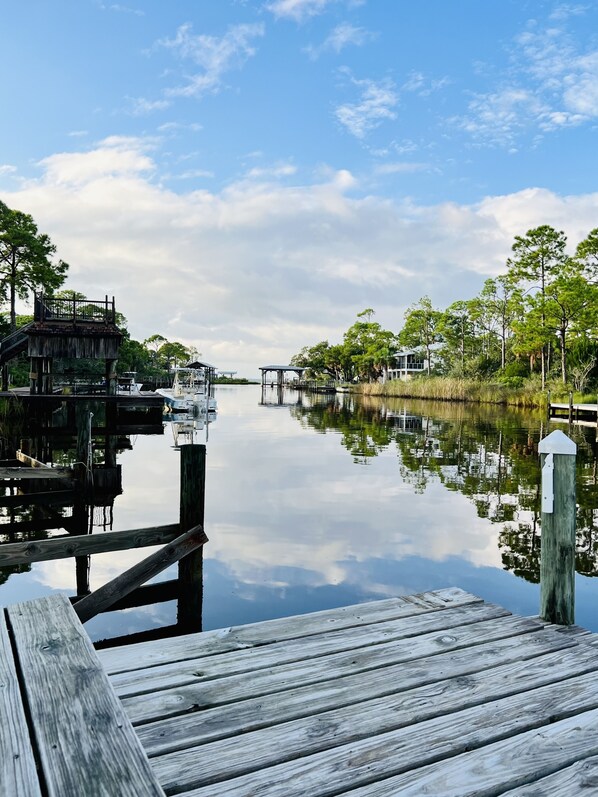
[443,388]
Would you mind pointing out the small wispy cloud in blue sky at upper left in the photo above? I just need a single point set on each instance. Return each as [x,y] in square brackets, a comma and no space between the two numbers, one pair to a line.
[215,56]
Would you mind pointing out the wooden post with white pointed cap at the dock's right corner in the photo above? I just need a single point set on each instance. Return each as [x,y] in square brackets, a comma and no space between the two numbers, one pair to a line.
[557,560]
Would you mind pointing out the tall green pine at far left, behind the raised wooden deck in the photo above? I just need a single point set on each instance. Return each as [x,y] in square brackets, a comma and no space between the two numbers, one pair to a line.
[26,260]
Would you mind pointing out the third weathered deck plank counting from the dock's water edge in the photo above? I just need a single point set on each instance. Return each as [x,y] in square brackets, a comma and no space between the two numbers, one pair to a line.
[418,661]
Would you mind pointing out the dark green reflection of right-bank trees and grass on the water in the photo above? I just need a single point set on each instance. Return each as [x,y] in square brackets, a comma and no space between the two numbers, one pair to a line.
[487,455]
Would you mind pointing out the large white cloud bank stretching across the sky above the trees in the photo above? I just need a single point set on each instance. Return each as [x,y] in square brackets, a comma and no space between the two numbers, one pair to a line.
[253,273]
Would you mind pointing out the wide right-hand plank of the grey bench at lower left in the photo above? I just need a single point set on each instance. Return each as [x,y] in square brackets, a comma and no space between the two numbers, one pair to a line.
[85,743]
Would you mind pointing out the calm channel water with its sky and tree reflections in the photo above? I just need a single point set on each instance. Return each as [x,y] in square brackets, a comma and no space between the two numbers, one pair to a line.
[334,501]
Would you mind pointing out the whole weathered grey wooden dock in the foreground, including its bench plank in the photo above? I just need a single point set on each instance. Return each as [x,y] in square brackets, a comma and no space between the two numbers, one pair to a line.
[437,694]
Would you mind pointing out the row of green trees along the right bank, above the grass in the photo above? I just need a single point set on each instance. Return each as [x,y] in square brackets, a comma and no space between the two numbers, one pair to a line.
[538,320]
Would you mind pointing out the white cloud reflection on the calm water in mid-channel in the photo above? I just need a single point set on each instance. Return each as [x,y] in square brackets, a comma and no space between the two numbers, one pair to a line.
[286,507]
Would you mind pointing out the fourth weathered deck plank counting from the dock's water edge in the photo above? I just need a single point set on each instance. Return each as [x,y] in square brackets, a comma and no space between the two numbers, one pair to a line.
[434,688]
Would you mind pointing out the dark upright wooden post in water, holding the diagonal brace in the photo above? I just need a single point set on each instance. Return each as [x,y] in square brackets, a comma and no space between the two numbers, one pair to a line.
[192,505]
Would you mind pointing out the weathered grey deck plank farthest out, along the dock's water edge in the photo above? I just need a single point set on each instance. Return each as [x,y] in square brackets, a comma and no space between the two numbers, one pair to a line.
[255,634]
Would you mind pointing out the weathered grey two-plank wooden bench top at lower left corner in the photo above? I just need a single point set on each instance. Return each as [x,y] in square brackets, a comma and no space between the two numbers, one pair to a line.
[64,731]
